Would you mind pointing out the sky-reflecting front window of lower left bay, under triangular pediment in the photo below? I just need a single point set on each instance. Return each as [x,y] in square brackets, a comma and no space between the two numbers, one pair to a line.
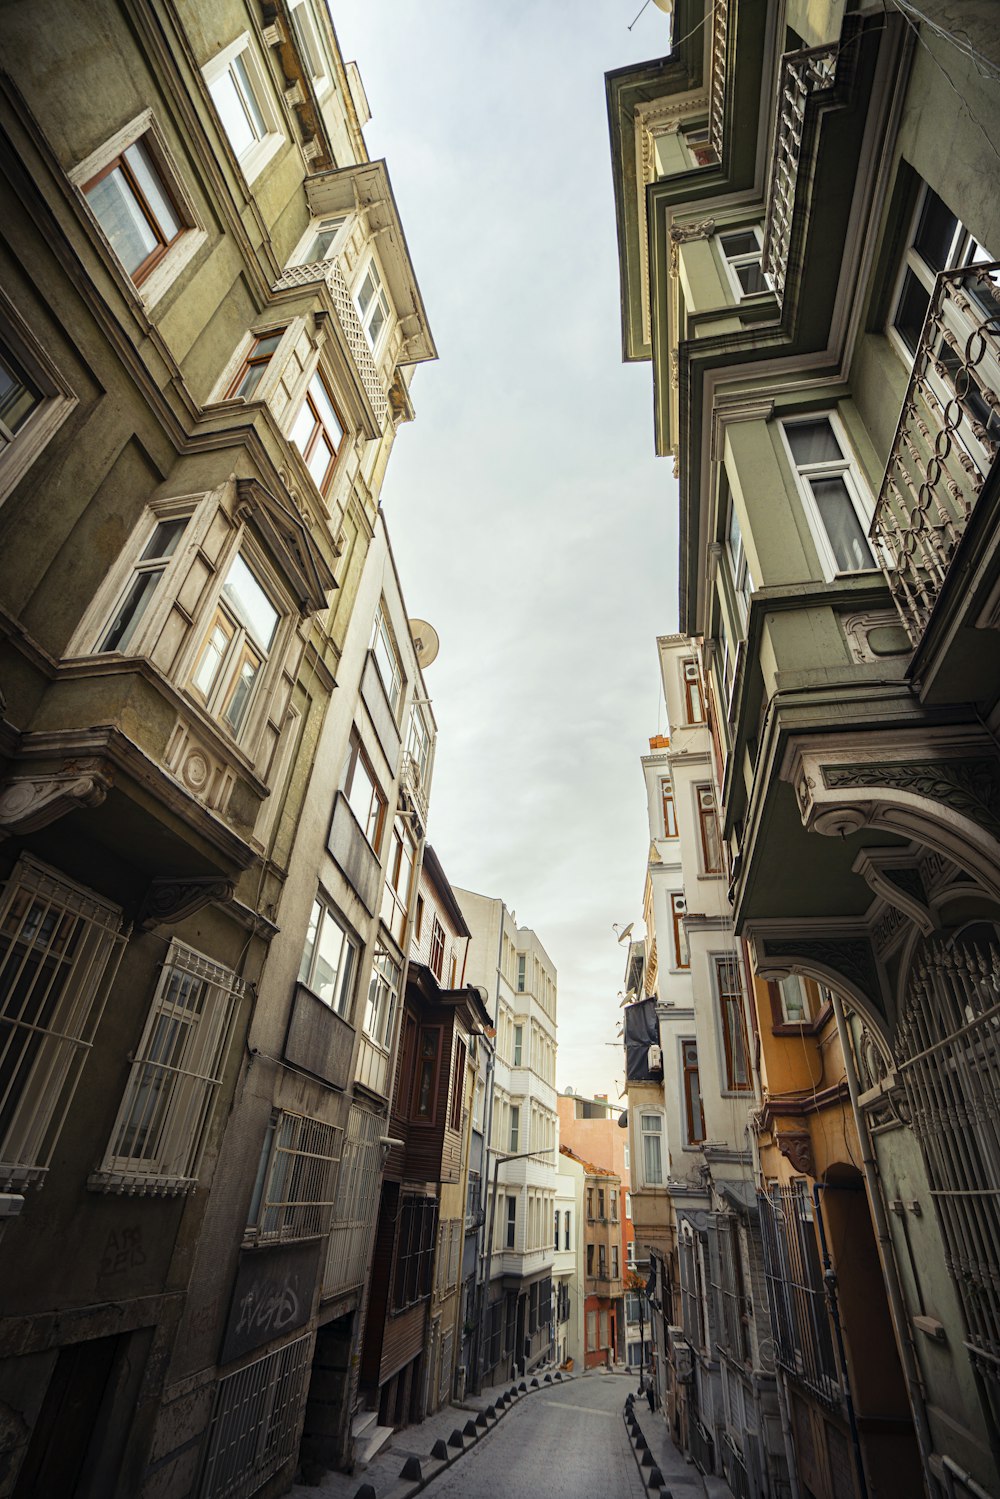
[238,648]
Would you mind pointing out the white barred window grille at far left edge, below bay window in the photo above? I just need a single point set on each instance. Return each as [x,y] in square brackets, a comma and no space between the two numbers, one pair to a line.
[59,953]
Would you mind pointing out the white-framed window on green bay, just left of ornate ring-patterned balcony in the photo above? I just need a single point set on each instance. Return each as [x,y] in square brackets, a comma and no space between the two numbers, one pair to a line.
[834,497]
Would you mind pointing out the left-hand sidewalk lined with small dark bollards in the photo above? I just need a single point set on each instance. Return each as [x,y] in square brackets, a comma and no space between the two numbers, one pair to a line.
[452,1431]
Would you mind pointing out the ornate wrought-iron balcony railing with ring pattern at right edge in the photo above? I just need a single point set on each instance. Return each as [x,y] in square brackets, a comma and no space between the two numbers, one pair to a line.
[945,444]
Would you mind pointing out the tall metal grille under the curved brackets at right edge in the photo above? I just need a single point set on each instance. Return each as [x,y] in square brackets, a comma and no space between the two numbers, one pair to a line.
[950,1058]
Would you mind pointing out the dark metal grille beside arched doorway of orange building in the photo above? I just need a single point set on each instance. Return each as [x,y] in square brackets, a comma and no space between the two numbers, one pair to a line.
[795,1291]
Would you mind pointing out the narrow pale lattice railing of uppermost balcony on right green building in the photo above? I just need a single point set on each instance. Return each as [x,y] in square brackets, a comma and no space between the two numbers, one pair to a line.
[801,76]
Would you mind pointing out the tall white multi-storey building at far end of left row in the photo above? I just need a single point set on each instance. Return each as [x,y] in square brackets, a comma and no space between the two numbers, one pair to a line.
[521,981]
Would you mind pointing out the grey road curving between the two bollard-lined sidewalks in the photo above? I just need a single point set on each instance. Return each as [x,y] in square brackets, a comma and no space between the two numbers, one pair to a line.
[560,1444]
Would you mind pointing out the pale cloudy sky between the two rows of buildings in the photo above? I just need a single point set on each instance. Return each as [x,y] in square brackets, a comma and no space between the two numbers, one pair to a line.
[531,522]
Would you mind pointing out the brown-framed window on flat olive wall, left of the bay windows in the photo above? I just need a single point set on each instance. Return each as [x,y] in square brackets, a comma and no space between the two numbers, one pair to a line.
[136,208]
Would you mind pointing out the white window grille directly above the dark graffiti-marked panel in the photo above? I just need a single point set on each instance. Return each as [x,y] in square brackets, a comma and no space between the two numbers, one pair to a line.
[301,1176]
